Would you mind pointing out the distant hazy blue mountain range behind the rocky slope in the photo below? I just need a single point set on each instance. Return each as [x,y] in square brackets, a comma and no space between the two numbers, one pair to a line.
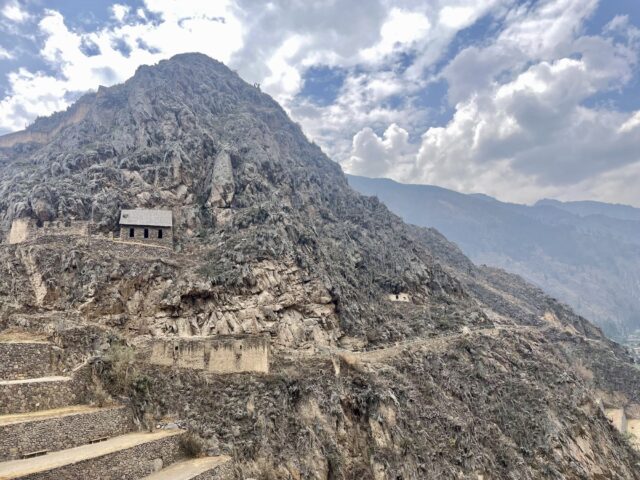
[587,254]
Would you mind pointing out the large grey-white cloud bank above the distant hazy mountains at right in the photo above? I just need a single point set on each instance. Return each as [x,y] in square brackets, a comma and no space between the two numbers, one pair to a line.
[521,130]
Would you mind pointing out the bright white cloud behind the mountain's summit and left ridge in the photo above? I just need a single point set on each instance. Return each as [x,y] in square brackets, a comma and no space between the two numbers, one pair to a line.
[183,30]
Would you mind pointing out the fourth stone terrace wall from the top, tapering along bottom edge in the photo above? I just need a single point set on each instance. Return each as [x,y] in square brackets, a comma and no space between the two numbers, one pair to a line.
[136,462]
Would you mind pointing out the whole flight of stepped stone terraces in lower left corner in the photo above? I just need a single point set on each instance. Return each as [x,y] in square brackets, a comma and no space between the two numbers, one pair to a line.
[49,431]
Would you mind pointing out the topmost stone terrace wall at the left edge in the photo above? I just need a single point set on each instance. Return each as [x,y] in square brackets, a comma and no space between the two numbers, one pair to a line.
[28,359]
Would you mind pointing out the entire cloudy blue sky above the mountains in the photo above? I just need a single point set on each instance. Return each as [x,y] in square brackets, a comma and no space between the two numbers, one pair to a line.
[517,99]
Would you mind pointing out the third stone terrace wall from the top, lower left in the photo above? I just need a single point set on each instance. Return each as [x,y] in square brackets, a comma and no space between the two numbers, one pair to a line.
[62,432]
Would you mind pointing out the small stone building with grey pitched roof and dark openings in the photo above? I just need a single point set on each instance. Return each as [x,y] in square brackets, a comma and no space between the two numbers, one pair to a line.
[147,226]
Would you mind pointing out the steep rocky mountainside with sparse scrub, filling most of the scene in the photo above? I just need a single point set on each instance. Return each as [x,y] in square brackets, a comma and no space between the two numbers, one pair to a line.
[477,373]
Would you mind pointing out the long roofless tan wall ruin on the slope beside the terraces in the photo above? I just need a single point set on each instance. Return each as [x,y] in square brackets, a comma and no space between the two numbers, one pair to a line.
[220,354]
